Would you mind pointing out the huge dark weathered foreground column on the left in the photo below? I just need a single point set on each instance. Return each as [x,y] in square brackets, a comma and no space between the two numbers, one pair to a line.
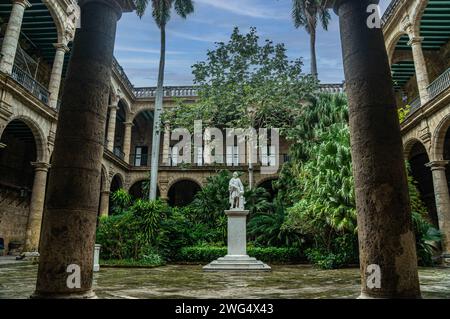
[68,236]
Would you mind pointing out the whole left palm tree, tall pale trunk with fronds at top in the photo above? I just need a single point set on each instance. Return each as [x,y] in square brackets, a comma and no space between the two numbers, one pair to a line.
[161,11]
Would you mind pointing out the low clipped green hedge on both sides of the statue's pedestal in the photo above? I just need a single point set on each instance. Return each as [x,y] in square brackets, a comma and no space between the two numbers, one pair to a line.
[206,254]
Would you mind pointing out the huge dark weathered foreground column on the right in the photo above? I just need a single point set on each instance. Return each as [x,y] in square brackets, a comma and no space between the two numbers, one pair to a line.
[386,238]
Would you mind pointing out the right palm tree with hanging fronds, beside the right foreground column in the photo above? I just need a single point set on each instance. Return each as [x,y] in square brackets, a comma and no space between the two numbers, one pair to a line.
[306,13]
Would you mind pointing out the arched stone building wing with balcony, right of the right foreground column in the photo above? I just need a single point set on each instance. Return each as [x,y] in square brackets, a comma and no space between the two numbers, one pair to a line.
[417,34]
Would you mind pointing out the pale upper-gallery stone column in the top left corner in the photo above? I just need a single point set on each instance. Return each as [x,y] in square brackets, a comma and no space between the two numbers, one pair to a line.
[12,35]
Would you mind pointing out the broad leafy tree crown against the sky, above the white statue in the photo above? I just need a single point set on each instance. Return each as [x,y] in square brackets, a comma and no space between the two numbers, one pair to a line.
[246,82]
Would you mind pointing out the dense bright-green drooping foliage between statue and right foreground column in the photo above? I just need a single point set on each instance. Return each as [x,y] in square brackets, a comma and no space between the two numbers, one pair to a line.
[326,204]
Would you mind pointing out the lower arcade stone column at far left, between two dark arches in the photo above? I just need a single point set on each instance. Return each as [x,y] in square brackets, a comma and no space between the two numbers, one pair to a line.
[36,207]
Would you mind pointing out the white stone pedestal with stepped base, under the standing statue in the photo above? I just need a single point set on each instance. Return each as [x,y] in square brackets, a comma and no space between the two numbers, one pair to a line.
[237,258]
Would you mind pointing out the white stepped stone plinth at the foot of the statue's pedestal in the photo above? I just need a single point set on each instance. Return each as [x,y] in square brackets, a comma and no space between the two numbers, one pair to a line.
[237,263]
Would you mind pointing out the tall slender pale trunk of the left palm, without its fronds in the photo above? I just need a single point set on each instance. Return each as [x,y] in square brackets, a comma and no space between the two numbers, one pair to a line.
[156,141]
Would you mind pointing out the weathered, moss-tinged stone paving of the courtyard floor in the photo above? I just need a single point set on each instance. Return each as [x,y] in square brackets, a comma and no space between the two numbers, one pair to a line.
[17,281]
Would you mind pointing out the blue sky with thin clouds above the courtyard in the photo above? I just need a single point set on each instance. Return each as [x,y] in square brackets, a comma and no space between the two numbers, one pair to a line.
[137,44]
